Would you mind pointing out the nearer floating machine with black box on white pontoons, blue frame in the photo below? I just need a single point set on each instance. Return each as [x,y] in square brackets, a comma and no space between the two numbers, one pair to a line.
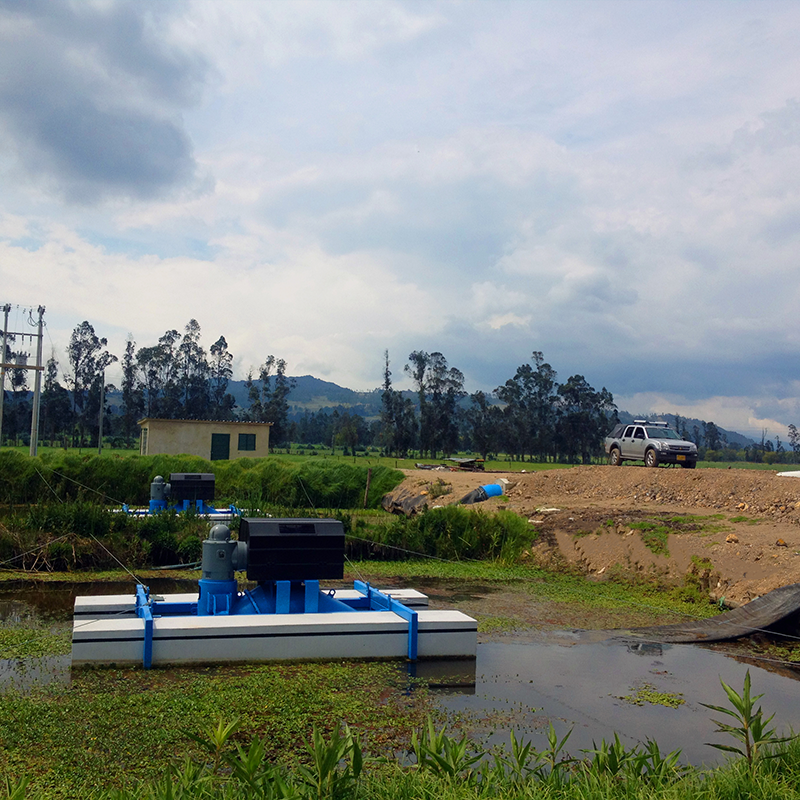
[287,616]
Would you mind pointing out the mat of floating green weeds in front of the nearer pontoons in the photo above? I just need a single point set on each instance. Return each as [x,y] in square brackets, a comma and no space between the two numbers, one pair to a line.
[126,725]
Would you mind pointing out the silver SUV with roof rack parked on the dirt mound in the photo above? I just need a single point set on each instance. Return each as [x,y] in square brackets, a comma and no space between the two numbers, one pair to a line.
[652,442]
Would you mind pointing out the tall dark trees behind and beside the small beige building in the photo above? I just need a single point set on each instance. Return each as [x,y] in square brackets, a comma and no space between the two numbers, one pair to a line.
[175,378]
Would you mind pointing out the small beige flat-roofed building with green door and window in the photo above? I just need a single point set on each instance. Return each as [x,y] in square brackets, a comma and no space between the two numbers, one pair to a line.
[215,440]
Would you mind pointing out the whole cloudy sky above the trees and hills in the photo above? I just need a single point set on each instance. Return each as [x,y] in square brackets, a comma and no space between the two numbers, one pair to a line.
[614,184]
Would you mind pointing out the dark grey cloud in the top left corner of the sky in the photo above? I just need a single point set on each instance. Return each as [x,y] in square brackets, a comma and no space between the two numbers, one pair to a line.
[91,98]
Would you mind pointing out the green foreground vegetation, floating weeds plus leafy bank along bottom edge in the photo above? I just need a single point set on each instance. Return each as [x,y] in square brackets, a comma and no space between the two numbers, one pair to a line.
[337,731]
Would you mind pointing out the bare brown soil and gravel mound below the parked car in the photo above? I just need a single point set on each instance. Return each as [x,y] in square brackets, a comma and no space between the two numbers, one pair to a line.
[737,531]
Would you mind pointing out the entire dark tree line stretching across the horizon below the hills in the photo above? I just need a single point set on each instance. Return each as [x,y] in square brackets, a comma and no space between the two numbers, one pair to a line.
[531,416]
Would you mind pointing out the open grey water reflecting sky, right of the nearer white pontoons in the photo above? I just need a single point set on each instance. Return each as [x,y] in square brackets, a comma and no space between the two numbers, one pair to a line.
[578,684]
